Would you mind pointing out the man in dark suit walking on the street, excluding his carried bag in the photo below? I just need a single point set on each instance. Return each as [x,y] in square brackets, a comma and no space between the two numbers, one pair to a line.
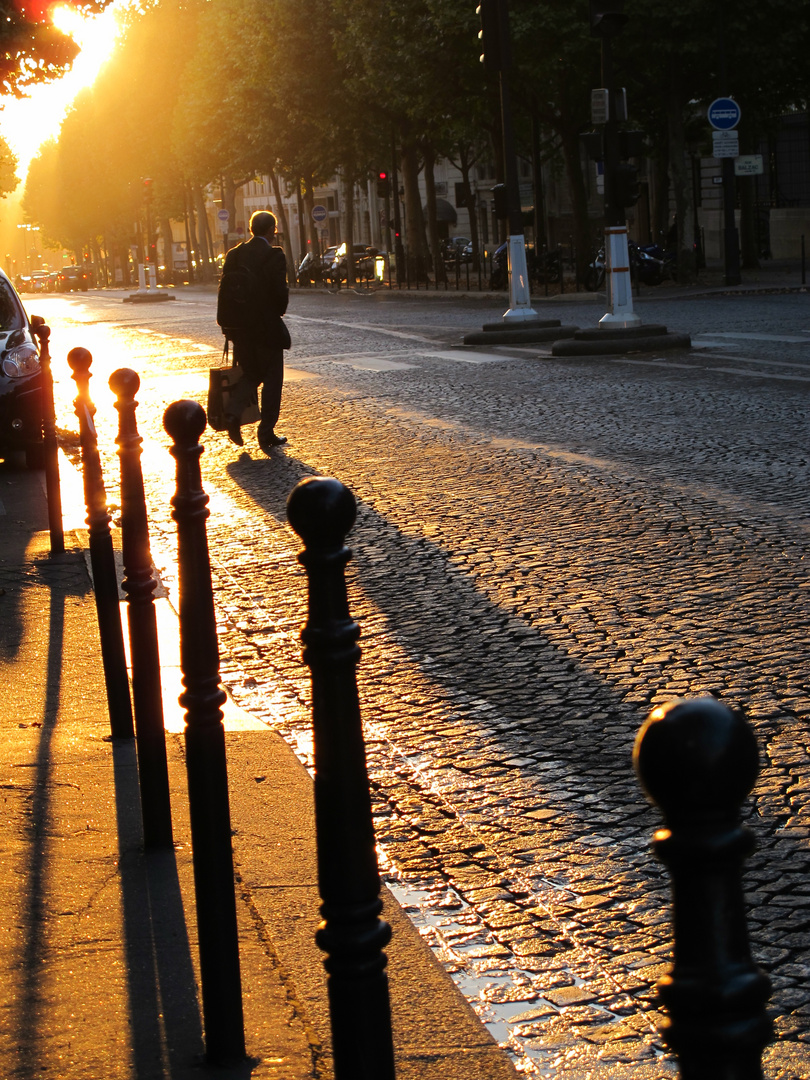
[260,340]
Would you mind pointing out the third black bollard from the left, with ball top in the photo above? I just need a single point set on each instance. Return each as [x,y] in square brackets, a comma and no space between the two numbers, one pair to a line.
[140,586]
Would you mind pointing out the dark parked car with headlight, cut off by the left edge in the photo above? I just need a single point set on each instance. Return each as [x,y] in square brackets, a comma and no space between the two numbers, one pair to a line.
[21,381]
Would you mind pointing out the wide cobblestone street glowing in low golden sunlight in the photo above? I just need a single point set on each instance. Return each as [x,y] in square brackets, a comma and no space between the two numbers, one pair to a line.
[545,550]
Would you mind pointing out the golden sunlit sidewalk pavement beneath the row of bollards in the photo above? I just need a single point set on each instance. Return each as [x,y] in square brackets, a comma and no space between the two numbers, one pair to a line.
[99,960]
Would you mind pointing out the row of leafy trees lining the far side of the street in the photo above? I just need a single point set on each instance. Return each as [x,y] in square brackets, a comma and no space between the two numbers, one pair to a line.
[204,92]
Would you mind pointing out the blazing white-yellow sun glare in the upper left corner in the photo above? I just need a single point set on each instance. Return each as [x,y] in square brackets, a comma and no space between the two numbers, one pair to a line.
[28,123]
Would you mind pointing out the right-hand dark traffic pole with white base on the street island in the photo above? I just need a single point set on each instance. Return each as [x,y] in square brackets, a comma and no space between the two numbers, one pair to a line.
[617,251]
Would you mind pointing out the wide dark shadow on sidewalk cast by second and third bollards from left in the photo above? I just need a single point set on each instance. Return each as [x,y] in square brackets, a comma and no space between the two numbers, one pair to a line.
[165,1011]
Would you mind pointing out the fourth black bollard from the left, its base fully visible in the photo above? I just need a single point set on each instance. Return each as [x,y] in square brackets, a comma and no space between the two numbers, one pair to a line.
[206,764]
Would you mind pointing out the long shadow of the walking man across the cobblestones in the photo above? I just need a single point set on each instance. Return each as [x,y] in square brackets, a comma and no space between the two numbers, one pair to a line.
[438,615]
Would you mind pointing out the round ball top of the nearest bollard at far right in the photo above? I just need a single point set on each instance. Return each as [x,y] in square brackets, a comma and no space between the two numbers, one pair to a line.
[696,759]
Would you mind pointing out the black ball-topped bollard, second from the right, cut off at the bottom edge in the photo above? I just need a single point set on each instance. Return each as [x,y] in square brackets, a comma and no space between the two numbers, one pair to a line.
[322,511]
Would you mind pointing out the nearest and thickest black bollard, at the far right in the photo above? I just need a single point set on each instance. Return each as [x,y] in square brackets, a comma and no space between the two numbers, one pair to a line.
[698,761]
